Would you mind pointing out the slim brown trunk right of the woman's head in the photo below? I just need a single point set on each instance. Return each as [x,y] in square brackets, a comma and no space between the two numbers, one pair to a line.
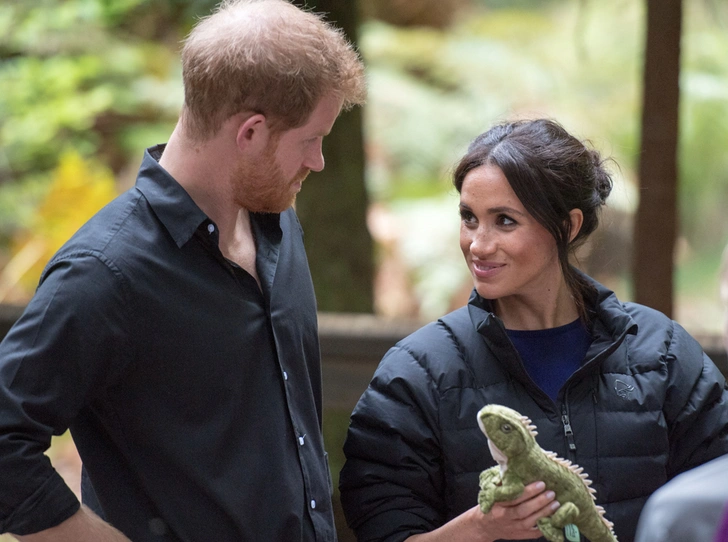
[656,221]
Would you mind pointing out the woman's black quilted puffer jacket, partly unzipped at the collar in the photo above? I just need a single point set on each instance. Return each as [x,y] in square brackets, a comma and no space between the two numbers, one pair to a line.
[646,405]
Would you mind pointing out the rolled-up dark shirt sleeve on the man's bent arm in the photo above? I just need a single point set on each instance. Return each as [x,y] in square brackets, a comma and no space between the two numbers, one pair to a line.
[66,347]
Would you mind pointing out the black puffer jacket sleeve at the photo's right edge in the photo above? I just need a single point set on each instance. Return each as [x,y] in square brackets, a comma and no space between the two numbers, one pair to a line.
[696,406]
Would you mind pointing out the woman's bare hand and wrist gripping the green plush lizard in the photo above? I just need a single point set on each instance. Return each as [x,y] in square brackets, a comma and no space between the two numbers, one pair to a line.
[510,520]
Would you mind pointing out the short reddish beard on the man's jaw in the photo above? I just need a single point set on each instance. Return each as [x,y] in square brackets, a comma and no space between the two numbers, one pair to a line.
[261,187]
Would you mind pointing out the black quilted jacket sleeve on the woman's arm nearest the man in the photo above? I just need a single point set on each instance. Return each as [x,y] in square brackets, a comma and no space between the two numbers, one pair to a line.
[392,483]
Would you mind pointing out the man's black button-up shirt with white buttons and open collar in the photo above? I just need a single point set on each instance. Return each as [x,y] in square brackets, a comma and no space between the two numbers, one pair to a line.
[193,397]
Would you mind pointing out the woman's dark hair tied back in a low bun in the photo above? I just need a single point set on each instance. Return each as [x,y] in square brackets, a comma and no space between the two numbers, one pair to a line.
[551,172]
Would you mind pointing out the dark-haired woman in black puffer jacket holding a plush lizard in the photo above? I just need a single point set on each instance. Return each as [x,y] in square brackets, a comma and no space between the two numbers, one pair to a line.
[616,387]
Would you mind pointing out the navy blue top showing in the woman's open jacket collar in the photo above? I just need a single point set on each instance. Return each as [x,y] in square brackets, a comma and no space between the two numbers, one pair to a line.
[551,356]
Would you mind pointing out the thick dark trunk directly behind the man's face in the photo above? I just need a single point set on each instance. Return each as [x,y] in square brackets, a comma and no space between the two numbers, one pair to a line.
[333,204]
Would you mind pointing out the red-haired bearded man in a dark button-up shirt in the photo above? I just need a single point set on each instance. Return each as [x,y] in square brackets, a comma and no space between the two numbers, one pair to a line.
[175,333]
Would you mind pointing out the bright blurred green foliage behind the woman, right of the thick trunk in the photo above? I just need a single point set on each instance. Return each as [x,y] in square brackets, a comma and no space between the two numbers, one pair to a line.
[579,62]
